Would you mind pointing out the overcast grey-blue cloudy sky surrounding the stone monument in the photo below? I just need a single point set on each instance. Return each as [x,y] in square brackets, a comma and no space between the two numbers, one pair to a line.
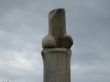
[23,24]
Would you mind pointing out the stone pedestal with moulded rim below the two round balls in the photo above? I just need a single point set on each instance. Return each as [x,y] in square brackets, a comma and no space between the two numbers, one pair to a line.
[56,64]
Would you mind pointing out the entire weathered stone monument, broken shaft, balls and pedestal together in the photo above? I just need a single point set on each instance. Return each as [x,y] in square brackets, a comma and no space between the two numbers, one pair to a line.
[56,49]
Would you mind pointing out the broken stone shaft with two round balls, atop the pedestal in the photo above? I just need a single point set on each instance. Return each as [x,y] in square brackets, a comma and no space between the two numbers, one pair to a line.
[57,37]
